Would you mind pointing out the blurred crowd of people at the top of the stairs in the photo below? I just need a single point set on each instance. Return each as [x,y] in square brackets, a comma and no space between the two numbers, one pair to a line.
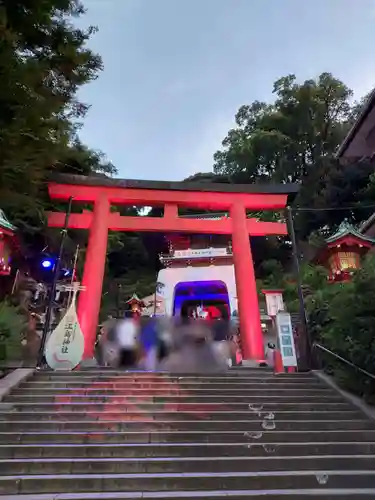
[168,344]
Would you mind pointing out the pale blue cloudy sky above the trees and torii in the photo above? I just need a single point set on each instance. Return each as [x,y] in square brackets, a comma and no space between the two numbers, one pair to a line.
[176,71]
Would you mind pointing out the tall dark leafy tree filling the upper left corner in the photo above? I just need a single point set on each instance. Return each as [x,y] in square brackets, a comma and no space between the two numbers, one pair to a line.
[44,61]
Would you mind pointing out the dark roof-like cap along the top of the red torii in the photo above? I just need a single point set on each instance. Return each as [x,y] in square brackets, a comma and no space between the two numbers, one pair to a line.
[103,181]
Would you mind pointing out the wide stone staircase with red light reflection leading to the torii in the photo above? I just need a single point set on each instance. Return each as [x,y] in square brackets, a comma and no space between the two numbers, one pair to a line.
[98,434]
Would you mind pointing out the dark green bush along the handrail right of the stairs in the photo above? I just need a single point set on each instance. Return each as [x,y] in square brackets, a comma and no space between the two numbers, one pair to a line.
[342,319]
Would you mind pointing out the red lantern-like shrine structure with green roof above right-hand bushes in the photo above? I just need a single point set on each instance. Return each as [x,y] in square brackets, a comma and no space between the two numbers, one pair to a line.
[343,252]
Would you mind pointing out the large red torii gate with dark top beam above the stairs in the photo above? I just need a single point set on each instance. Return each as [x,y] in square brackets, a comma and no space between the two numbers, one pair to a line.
[236,199]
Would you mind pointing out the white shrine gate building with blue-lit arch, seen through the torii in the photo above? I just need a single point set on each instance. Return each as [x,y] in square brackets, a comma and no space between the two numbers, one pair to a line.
[198,271]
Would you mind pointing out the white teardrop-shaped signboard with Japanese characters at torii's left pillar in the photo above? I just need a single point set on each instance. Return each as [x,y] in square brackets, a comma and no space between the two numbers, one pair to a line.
[65,346]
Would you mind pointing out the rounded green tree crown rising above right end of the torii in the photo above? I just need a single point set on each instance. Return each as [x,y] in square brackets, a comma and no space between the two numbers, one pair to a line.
[284,140]
